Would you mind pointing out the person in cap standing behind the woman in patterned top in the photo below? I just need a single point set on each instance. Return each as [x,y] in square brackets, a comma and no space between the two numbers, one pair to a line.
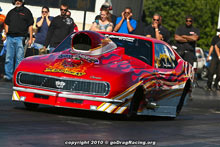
[107,6]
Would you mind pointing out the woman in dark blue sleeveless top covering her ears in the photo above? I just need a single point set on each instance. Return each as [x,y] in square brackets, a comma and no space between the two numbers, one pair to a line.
[42,24]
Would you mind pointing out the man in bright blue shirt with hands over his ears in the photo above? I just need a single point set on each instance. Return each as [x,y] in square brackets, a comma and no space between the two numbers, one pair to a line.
[125,23]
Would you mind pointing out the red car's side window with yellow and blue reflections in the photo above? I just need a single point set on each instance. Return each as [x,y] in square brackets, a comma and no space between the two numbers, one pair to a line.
[164,57]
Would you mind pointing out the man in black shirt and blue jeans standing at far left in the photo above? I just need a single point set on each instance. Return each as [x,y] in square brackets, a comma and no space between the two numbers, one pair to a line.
[19,21]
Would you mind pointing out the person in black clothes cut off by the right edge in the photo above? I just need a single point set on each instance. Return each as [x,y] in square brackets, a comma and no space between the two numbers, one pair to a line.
[214,67]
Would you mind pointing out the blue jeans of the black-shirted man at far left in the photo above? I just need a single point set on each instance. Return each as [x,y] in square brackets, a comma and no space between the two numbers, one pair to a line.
[14,55]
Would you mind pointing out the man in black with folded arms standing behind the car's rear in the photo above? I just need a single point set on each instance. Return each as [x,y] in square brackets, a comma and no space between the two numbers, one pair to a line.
[186,37]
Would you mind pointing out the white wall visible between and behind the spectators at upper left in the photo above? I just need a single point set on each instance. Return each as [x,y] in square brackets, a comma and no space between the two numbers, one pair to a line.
[76,15]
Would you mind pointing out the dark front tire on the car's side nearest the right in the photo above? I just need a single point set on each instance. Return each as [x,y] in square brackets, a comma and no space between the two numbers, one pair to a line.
[135,102]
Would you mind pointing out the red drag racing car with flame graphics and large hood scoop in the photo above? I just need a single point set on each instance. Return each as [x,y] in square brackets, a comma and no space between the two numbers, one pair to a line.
[108,72]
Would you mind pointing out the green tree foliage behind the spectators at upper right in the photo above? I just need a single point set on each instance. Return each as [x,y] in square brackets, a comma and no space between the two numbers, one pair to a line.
[173,12]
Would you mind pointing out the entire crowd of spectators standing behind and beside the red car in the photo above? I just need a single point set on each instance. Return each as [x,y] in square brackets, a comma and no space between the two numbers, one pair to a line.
[52,30]
